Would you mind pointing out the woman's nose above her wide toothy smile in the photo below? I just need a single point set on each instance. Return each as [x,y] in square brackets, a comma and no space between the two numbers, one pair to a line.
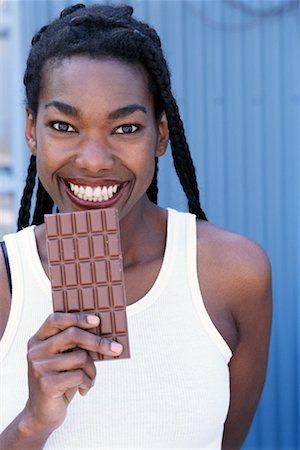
[95,155]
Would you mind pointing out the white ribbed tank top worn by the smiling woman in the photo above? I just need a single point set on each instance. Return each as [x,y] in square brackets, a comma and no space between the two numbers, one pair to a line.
[173,393]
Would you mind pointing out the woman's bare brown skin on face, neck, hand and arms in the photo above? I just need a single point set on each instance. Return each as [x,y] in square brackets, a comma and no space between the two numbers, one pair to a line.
[234,273]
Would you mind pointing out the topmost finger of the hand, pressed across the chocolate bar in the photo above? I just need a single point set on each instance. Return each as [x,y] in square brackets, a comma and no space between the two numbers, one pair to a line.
[57,322]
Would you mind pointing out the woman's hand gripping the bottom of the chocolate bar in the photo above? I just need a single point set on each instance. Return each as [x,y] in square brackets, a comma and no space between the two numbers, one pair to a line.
[54,376]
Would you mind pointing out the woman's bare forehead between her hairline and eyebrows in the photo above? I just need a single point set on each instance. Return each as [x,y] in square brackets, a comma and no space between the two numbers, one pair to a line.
[107,82]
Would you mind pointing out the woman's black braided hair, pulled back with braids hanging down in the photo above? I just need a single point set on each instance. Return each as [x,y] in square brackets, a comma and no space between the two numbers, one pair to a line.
[105,31]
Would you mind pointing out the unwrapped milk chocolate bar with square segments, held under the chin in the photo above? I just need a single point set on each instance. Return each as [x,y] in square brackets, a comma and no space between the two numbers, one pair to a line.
[86,270]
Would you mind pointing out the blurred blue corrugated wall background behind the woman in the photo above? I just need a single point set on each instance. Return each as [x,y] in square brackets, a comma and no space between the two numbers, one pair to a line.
[235,68]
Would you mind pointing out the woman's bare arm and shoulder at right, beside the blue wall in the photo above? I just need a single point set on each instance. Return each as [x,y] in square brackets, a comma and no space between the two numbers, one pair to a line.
[235,278]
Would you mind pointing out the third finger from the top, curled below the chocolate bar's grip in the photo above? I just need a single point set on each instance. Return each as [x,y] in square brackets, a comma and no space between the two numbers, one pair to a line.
[79,359]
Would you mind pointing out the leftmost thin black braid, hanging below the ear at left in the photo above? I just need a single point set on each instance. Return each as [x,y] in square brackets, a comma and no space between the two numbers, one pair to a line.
[24,211]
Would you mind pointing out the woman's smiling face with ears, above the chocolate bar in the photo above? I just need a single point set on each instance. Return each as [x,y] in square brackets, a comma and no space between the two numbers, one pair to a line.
[95,135]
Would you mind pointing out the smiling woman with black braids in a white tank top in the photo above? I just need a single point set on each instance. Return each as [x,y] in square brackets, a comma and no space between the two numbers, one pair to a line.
[99,115]
